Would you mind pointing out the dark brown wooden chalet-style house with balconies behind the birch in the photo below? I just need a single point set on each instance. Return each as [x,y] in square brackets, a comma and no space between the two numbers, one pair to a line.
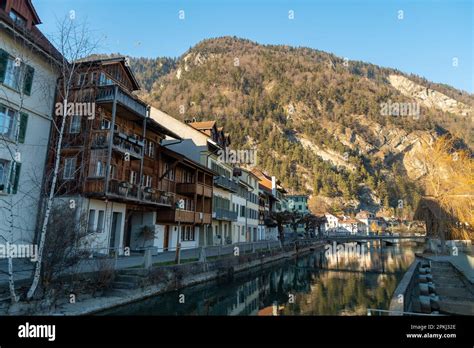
[116,170]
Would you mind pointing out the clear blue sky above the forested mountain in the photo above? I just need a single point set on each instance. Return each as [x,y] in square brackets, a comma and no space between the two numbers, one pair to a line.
[432,38]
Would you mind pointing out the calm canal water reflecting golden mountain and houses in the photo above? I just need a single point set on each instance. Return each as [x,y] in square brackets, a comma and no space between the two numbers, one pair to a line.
[319,283]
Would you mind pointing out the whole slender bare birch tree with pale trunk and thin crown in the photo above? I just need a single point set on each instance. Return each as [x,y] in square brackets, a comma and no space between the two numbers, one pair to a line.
[73,40]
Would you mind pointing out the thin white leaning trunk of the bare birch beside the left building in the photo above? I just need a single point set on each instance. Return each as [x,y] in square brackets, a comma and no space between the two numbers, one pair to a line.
[49,204]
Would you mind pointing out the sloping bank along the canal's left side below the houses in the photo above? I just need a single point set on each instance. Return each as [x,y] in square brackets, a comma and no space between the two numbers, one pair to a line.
[162,279]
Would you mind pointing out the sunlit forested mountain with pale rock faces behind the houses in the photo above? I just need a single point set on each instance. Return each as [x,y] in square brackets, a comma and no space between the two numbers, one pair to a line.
[348,132]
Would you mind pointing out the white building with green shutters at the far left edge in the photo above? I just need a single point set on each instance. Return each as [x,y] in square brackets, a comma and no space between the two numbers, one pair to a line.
[28,74]
